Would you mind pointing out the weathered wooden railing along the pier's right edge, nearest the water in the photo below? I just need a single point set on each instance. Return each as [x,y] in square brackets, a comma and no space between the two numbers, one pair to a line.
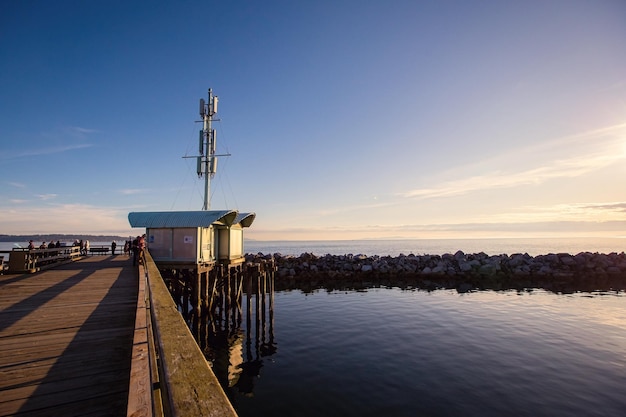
[169,375]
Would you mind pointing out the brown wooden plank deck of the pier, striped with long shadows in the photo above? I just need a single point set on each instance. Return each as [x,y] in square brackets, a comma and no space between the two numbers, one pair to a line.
[66,339]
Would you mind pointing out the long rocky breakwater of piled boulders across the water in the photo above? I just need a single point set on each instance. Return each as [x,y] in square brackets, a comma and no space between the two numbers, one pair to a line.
[559,272]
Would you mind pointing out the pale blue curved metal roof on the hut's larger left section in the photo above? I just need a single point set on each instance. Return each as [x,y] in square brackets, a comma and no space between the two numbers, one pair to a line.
[158,219]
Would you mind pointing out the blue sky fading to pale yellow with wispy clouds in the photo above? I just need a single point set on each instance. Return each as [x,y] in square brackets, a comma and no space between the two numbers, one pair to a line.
[345,119]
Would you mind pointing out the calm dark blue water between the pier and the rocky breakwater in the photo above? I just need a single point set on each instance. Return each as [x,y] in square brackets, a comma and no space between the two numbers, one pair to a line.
[392,352]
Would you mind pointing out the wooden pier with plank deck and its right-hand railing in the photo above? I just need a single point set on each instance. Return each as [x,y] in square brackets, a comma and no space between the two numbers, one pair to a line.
[100,337]
